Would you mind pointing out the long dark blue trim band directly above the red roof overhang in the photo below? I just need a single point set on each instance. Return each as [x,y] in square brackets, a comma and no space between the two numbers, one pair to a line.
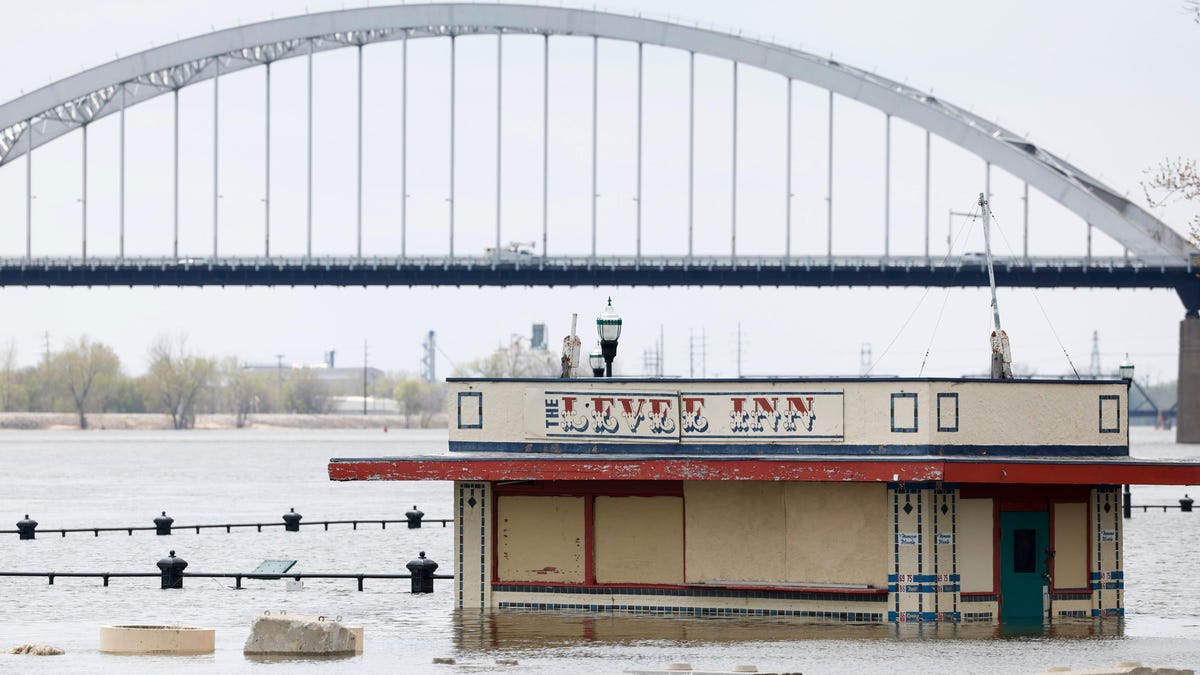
[784,450]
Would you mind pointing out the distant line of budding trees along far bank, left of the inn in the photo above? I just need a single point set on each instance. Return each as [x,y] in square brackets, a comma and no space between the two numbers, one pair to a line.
[87,377]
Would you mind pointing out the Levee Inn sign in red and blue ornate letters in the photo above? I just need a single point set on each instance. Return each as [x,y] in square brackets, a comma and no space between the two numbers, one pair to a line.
[685,416]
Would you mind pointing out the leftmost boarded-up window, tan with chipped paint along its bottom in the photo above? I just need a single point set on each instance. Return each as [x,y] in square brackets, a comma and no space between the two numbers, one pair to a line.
[541,540]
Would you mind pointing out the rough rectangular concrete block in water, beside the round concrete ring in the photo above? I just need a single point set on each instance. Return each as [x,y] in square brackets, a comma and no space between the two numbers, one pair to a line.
[295,635]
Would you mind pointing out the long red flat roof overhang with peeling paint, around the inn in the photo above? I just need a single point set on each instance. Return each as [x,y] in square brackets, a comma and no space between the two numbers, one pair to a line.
[1073,471]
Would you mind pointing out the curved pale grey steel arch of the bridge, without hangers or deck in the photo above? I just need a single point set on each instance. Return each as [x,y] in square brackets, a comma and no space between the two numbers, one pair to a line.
[61,107]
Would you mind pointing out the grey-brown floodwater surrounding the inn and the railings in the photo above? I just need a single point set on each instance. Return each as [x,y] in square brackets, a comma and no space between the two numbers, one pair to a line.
[125,479]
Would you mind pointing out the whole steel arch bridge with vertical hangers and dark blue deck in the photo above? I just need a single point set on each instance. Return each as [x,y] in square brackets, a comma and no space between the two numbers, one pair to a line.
[1156,256]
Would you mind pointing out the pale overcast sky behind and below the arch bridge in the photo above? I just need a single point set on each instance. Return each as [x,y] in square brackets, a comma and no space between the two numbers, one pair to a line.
[1109,86]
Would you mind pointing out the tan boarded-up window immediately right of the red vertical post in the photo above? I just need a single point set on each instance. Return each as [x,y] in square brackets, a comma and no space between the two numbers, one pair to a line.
[639,540]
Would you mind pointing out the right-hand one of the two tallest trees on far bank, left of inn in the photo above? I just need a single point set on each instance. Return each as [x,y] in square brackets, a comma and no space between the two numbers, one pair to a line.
[176,380]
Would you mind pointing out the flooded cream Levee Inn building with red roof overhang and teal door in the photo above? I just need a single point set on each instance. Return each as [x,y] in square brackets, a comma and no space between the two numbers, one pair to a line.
[859,500]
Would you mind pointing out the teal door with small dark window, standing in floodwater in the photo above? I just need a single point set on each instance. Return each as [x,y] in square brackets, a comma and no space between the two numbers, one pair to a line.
[1024,549]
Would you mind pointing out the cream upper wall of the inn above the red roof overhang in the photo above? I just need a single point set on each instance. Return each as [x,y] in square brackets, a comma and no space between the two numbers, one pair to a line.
[881,415]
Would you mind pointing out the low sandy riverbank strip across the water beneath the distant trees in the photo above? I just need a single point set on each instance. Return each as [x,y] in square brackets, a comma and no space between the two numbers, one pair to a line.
[103,422]
